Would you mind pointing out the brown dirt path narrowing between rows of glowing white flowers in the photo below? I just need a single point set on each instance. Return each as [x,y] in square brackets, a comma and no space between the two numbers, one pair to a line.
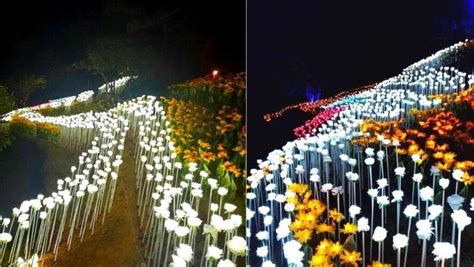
[116,243]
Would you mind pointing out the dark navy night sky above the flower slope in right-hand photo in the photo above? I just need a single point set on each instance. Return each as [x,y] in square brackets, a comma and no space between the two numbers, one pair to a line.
[334,45]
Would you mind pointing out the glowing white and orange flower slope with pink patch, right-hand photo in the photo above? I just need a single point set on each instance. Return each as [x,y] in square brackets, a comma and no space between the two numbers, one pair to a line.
[379,176]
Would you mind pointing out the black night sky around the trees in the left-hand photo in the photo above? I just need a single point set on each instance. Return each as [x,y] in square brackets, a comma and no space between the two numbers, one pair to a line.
[48,37]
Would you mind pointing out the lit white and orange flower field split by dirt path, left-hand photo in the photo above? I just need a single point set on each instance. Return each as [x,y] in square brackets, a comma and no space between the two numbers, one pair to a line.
[175,196]
